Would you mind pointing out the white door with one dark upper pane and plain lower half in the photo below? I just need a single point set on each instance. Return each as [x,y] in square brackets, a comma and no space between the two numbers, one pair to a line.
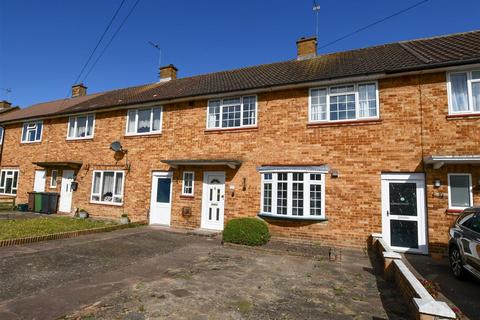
[161,198]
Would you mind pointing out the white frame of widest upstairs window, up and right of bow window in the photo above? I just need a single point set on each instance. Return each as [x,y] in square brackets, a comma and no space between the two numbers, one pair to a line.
[357,102]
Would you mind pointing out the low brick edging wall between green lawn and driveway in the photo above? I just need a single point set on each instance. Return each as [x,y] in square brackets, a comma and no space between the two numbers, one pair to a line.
[65,235]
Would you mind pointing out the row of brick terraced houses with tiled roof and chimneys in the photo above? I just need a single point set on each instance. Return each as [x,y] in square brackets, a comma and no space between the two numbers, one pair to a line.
[330,148]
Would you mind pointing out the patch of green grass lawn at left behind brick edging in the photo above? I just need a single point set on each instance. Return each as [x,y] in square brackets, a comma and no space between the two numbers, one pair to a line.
[22,228]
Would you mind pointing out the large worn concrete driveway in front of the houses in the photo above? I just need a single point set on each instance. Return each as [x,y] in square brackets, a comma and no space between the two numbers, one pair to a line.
[147,273]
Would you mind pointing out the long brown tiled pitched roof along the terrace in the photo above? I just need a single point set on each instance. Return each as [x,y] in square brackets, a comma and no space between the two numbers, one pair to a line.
[421,54]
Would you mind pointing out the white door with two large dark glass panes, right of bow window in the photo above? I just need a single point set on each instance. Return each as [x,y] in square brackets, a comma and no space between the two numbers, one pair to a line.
[403,212]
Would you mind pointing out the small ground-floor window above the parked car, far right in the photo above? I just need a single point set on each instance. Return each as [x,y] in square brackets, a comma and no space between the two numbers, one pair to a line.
[459,190]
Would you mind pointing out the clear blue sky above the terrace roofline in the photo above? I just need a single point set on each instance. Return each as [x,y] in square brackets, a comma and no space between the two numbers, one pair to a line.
[44,44]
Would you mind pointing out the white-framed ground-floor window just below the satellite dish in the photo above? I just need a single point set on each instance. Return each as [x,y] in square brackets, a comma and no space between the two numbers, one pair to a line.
[107,187]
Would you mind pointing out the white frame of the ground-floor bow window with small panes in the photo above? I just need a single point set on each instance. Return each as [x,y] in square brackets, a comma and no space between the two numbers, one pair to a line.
[306,194]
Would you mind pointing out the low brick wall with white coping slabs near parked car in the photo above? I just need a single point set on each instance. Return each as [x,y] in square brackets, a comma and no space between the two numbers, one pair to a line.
[418,299]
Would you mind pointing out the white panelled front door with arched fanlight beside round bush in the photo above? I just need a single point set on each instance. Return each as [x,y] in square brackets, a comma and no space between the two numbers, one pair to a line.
[213,200]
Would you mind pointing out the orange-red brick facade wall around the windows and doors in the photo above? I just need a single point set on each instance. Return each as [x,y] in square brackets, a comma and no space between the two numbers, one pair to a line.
[360,152]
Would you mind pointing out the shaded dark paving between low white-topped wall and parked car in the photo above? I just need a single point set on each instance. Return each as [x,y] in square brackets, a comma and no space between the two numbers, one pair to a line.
[464,294]
